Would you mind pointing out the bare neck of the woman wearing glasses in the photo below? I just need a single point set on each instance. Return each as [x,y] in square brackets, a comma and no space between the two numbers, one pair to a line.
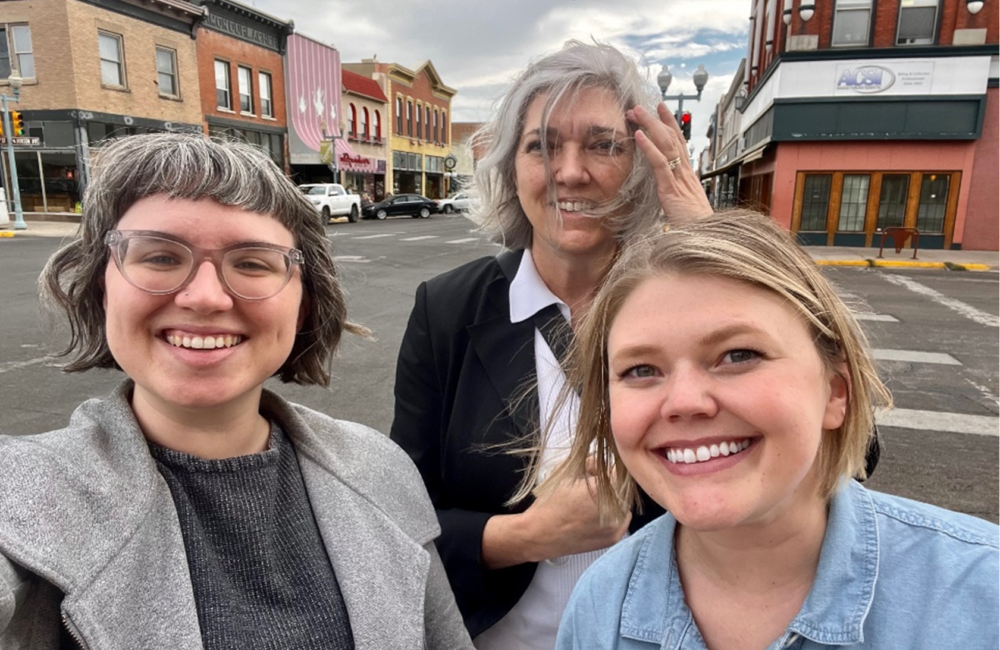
[213,433]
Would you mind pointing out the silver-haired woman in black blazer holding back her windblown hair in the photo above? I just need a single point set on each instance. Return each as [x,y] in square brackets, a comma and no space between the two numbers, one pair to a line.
[581,159]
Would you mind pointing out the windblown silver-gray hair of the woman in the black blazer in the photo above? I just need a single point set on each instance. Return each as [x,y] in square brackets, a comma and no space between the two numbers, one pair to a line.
[562,76]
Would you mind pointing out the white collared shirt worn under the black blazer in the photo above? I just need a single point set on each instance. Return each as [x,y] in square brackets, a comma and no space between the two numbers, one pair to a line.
[533,622]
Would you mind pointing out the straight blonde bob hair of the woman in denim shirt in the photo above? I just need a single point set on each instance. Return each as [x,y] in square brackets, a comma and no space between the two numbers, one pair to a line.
[744,247]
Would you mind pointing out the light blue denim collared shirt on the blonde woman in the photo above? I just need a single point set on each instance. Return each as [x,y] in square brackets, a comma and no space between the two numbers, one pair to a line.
[893,573]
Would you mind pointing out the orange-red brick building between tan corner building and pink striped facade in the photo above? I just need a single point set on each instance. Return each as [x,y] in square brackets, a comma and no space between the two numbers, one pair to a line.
[241,71]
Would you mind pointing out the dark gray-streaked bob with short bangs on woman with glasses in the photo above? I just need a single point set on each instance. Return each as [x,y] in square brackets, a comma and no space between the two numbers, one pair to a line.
[192,167]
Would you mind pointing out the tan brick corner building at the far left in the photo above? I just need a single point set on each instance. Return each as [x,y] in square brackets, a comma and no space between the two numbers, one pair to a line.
[94,70]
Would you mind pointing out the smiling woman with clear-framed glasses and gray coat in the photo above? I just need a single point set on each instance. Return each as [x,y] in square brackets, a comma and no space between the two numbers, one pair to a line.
[192,508]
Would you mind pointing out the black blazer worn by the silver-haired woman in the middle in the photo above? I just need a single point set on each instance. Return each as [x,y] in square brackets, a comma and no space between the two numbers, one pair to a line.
[463,387]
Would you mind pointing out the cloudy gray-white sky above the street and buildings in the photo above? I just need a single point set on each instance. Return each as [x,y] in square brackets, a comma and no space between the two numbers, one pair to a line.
[477,46]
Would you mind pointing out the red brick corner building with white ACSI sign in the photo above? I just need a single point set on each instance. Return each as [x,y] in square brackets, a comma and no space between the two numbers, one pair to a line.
[858,115]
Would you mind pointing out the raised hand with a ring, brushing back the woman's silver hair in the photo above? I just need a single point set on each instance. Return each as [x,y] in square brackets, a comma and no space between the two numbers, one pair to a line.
[660,140]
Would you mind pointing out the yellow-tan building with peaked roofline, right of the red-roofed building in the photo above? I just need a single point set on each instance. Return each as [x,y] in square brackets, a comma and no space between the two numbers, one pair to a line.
[419,126]
